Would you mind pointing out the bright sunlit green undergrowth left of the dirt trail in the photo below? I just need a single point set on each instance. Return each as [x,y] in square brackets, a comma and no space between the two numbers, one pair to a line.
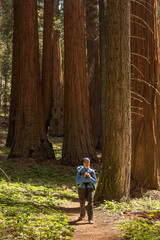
[32,212]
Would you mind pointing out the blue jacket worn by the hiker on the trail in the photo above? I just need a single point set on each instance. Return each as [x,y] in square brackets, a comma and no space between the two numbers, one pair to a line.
[81,180]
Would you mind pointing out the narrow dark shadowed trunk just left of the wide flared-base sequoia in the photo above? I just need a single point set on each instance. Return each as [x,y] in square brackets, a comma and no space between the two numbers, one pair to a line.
[15,75]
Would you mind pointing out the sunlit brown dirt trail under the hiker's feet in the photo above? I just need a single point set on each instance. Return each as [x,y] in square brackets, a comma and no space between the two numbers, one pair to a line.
[104,227]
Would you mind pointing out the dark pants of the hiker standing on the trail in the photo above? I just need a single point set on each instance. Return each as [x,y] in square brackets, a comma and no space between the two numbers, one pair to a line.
[83,195]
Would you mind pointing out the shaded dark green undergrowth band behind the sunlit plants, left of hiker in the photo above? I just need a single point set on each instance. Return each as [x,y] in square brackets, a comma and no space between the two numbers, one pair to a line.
[42,174]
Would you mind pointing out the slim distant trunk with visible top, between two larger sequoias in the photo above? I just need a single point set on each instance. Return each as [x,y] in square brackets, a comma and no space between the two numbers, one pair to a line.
[56,128]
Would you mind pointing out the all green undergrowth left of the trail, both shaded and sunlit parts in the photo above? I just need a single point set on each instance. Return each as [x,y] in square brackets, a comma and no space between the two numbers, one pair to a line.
[30,205]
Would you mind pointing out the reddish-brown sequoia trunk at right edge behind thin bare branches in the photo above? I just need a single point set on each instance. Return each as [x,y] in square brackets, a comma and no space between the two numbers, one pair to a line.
[145,69]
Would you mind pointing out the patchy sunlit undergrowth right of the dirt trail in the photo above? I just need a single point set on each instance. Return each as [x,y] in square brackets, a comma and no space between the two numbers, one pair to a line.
[139,218]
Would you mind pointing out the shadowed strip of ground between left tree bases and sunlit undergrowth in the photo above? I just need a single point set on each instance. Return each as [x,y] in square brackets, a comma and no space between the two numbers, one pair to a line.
[29,171]
